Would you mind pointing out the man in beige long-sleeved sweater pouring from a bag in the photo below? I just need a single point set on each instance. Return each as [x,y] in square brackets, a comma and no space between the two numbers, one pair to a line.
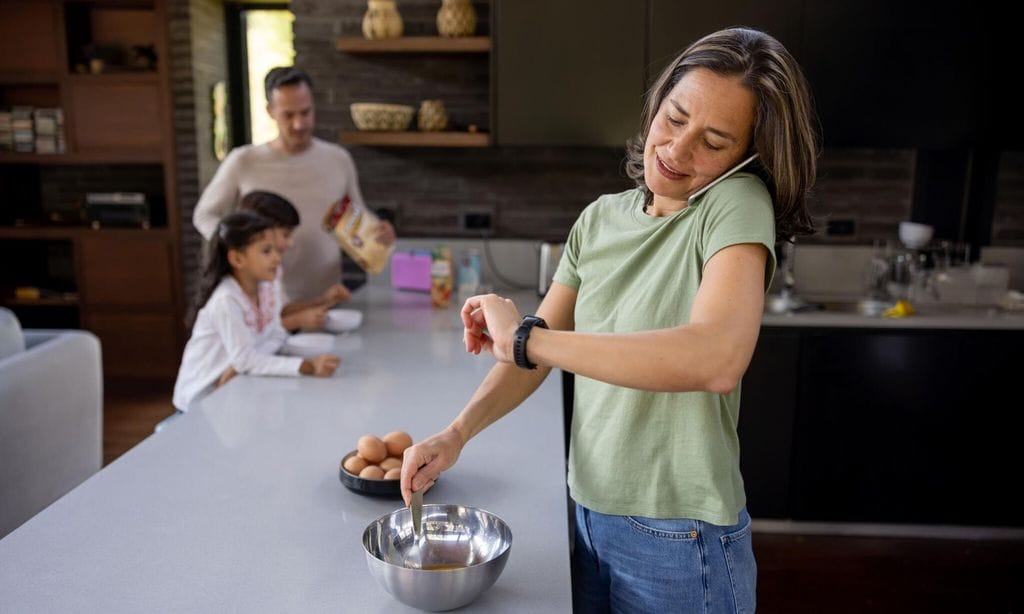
[313,174]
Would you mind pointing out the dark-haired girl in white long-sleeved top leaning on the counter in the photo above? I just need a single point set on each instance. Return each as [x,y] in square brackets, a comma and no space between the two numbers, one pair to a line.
[237,327]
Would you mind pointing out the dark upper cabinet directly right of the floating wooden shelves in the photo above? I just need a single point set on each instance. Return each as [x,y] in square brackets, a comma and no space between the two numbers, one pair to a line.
[568,73]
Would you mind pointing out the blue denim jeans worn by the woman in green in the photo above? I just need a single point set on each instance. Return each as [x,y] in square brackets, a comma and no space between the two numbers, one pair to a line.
[631,564]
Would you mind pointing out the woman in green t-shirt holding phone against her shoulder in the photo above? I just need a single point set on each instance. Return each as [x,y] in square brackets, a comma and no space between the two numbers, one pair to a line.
[657,306]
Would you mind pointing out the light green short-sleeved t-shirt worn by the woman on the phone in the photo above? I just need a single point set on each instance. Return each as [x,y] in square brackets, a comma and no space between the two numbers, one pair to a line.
[657,455]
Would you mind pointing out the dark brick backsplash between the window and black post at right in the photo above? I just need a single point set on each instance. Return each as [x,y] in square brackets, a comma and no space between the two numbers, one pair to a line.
[530,192]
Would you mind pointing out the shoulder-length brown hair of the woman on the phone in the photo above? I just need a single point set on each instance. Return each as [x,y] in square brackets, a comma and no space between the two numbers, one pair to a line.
[785,136]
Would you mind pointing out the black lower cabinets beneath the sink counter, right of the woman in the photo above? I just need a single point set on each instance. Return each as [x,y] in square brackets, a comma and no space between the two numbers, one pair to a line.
[909,426]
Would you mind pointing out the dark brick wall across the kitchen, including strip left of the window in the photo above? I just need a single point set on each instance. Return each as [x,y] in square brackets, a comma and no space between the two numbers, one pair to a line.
[533,193]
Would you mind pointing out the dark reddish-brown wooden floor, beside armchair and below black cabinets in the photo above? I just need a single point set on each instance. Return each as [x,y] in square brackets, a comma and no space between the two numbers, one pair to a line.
[796,573]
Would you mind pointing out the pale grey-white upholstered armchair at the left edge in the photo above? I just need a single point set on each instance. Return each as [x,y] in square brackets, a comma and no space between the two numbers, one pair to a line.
[52,416]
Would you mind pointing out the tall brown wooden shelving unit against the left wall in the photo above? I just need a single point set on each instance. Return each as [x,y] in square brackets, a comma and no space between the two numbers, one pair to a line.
[126,281]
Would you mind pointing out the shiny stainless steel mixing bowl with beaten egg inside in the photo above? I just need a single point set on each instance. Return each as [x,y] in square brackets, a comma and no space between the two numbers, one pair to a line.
[461,554]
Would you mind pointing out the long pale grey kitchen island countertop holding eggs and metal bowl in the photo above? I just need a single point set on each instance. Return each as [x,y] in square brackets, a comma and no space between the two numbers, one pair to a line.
[237,506]
